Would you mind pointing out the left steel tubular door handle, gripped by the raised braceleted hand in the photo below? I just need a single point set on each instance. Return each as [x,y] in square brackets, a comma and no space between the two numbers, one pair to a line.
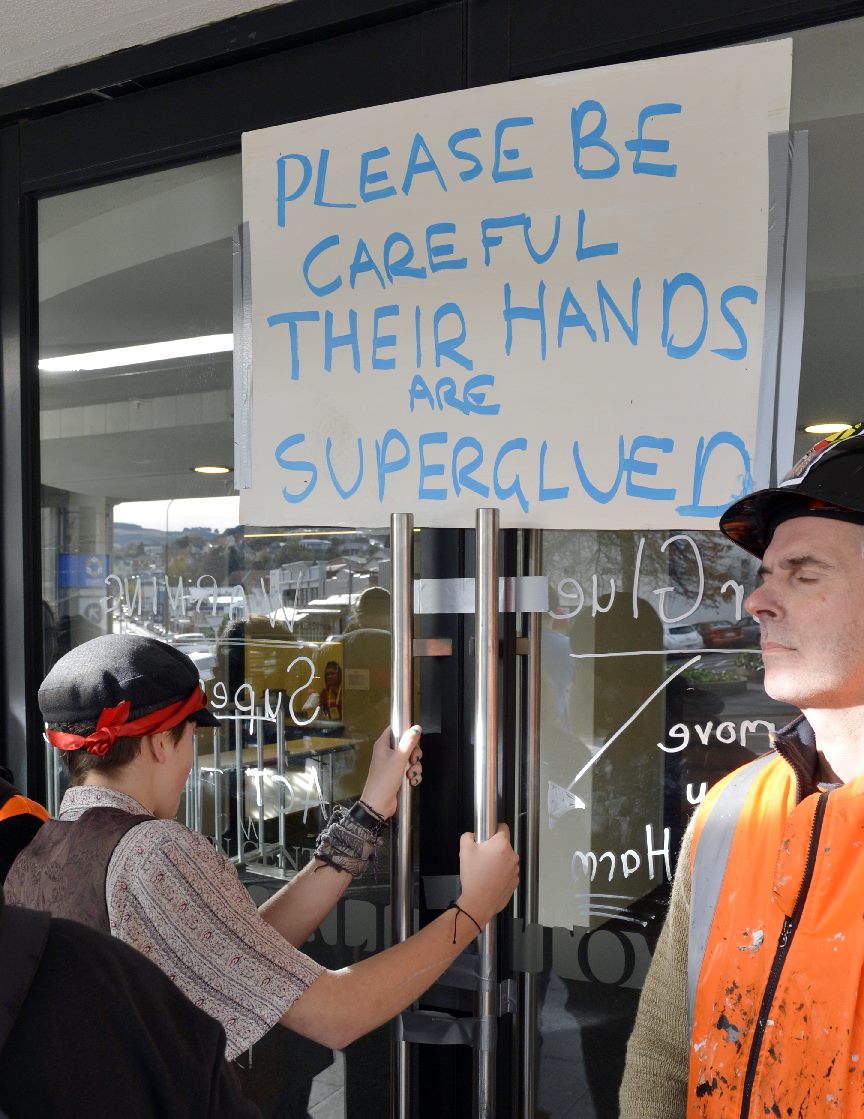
[402,692]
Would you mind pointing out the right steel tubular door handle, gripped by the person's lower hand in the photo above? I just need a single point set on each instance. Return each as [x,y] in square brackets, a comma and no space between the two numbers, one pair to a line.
[486,786]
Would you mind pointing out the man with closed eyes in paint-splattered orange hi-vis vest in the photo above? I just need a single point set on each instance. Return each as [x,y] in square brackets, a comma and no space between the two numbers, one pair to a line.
[755,1001]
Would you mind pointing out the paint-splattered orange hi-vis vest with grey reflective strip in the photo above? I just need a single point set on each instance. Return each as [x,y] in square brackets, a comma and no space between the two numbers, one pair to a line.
[778,1008]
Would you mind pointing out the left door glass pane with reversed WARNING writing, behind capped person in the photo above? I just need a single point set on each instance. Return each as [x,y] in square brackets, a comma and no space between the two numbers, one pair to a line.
[289,626]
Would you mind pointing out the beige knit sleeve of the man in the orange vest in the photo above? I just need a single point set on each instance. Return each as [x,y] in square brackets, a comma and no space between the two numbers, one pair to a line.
[655,1082]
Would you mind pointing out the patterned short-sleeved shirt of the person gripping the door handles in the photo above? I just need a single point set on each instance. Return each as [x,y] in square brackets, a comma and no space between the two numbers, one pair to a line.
[176,899]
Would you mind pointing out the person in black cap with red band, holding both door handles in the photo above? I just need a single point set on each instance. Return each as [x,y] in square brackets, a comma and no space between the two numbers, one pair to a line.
[124,710]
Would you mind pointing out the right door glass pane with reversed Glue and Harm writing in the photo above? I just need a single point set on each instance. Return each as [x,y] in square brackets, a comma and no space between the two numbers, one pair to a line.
[651,691]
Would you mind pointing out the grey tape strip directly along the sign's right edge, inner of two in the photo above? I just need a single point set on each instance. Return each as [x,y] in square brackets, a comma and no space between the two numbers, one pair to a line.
[778,200]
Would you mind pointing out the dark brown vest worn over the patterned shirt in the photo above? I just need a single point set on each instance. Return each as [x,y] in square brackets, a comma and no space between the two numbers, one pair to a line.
[63,869]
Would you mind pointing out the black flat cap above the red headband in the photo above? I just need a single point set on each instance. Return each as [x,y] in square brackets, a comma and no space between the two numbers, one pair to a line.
[109,670]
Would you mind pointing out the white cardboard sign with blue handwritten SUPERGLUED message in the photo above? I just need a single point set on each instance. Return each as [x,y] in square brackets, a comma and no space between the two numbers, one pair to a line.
[546,296]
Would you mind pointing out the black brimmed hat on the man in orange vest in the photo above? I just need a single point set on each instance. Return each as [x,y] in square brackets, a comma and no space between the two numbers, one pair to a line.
[828,482]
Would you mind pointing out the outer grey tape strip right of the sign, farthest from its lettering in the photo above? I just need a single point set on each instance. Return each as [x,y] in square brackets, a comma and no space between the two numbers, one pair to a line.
[795,280]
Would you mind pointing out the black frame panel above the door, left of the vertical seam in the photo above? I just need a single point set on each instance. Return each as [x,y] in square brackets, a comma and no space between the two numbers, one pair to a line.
[206,115]
